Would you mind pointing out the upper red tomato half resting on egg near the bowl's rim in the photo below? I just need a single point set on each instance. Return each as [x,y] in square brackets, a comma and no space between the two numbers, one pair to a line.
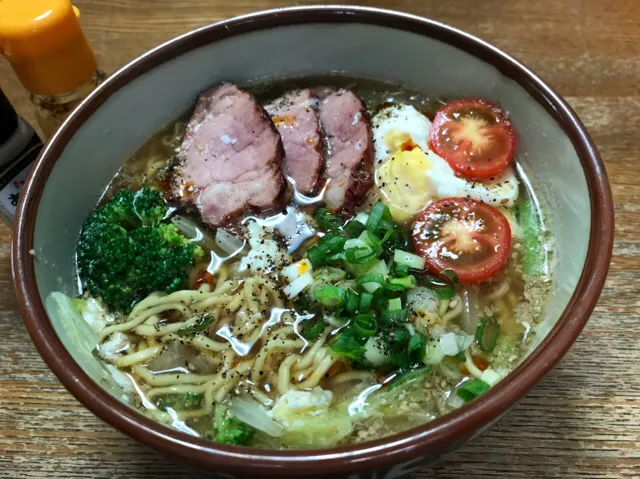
[474,137]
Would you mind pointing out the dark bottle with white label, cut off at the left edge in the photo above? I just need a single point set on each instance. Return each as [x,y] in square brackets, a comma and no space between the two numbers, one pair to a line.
[19,147]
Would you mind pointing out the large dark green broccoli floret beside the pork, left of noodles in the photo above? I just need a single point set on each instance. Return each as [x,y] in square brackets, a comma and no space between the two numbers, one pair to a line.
[125,252]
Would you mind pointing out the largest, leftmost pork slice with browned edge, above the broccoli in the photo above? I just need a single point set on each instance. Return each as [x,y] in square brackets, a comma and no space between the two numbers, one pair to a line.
[229,160]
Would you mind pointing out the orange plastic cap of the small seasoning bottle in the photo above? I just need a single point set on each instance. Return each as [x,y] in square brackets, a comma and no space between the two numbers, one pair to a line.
[43,41]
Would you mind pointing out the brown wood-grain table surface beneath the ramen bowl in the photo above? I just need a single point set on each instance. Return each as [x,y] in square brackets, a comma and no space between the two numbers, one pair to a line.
[582,421]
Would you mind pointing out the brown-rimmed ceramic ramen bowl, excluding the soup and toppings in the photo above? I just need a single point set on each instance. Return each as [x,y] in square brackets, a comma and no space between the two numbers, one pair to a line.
[554,149]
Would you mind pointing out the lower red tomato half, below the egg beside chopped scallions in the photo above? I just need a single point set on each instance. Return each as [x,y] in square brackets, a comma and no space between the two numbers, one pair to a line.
[464,235]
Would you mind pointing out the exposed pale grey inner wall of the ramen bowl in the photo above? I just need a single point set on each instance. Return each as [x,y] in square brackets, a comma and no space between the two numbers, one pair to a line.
[131,114]
